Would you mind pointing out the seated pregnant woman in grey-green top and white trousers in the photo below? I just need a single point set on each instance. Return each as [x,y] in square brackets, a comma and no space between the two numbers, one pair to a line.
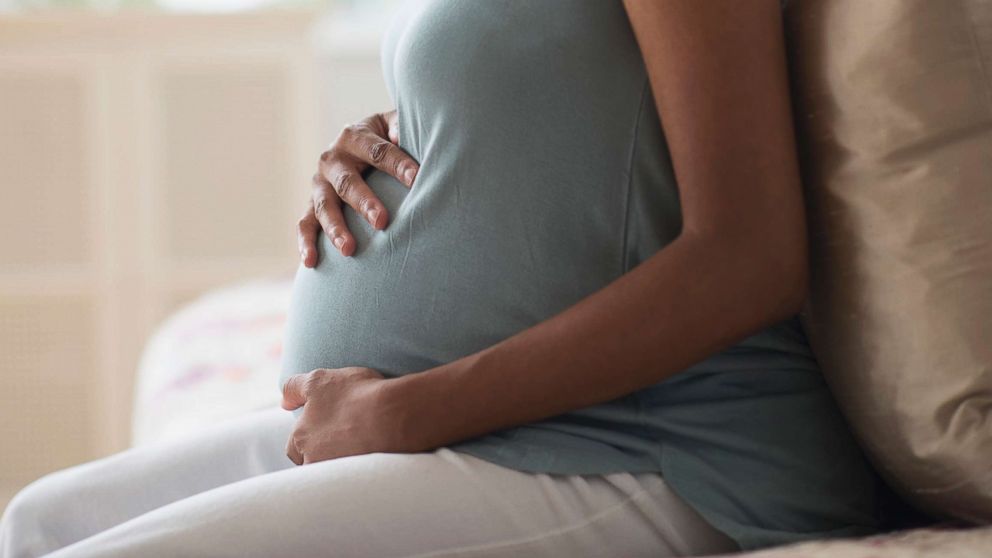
[547,308]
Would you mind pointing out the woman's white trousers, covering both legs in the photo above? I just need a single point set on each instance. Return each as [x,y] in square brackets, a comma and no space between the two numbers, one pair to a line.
[231,491]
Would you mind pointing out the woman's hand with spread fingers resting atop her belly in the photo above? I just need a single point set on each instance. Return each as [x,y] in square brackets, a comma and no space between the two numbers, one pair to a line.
[371,142]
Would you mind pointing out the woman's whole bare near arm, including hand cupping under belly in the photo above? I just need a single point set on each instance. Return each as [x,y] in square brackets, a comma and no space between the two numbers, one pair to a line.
[718,73]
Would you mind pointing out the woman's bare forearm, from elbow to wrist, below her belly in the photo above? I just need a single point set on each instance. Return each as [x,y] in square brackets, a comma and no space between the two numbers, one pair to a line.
[691,299]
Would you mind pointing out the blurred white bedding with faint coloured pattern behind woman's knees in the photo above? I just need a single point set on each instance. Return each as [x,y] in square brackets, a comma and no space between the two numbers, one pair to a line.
[216,358]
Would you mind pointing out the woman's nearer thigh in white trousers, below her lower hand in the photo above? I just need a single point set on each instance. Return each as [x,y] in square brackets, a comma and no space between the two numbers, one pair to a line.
[436,504]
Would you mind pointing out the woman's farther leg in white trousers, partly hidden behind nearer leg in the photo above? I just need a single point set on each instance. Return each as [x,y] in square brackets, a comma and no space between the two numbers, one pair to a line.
[75,503]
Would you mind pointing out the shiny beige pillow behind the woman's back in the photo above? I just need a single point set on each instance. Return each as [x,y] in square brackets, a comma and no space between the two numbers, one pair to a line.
[893,107]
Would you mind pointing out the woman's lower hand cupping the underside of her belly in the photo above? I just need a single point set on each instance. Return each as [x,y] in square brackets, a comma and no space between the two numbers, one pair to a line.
[344,413]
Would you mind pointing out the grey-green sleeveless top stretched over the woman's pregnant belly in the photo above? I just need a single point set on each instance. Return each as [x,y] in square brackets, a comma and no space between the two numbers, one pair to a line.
[544,177]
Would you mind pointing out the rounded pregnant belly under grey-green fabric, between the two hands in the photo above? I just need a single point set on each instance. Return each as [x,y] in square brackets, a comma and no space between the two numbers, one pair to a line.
[458,269]
